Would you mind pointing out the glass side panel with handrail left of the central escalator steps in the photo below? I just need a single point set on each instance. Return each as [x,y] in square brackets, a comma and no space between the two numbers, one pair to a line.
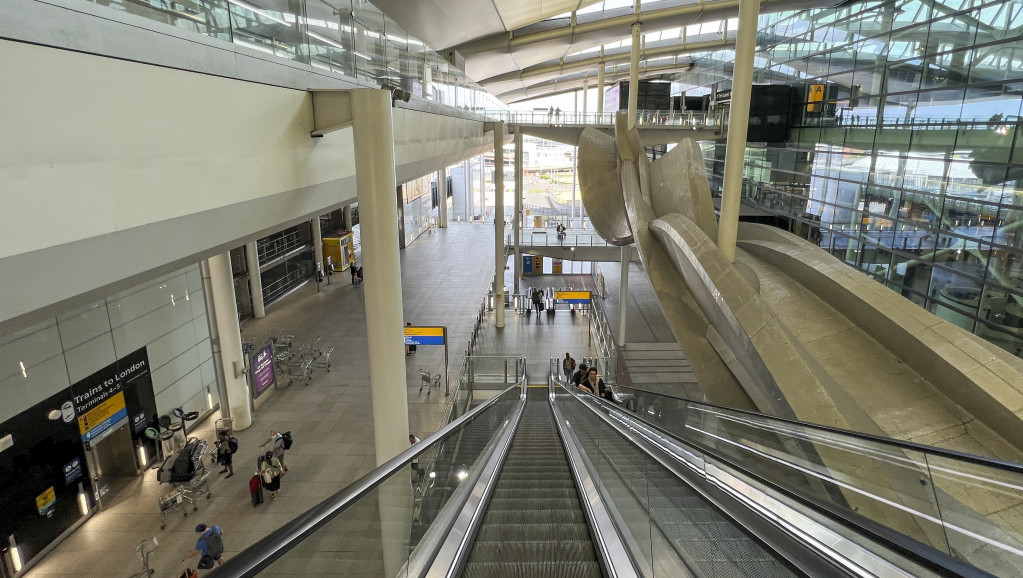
[384,524]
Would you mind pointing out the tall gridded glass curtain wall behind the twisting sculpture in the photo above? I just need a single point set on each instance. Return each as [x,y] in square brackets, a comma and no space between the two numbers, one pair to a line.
[907,160]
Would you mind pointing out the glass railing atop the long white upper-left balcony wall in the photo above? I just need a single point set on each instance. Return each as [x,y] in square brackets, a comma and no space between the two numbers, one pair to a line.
[347,37]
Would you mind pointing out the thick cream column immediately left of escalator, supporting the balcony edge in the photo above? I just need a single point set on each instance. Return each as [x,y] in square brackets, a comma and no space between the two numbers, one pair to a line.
[378,216]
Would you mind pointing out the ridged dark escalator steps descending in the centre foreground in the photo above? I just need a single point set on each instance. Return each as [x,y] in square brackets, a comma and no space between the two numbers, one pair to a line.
[535,525]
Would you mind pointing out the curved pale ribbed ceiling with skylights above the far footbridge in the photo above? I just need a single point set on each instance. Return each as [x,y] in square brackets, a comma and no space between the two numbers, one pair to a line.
[523,50]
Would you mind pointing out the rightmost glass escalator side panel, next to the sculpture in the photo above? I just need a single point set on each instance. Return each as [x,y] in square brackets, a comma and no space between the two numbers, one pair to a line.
[967,507]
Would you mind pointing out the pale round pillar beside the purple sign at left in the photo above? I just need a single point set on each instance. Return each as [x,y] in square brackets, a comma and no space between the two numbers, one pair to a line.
[226,340]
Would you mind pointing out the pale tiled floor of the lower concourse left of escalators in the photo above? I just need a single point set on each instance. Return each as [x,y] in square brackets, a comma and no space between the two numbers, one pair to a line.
[446,277]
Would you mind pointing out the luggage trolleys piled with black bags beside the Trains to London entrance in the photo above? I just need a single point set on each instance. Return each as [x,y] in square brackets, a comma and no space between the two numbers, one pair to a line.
[190,478]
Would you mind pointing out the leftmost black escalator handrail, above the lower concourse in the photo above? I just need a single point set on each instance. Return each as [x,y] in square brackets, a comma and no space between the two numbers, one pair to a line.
[259,556]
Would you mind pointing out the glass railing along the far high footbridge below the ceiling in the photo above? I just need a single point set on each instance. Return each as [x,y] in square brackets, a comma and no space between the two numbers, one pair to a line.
[694,119]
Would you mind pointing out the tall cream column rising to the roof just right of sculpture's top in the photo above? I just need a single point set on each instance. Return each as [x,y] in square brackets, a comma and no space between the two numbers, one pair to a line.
[739,119]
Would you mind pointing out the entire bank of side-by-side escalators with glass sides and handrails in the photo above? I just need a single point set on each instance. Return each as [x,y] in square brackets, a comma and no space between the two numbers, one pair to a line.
[555,482]
